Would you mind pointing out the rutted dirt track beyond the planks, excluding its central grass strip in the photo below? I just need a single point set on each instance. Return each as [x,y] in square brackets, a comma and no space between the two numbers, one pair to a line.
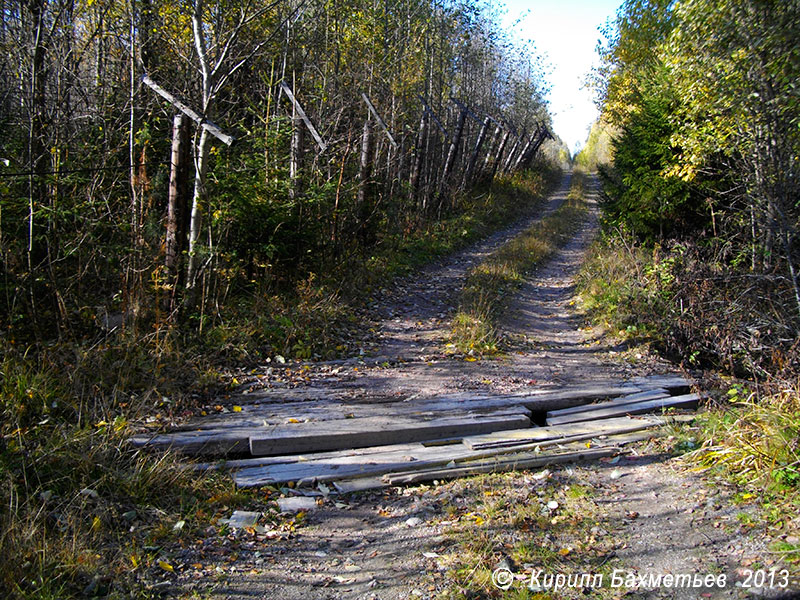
[406,354]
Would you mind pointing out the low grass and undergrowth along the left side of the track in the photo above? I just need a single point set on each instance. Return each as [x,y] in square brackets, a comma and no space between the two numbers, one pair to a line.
[84,515]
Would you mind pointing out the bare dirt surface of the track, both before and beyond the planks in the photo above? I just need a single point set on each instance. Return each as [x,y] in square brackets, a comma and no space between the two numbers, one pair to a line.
[652,515]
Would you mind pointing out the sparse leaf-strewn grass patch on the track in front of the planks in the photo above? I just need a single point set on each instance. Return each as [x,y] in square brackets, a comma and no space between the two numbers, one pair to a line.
[504,519]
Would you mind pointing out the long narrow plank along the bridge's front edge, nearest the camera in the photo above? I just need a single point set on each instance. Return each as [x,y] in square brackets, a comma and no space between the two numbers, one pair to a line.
[497,466]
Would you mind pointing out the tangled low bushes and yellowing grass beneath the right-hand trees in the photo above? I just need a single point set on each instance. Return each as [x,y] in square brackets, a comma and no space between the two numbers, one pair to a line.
[735,328]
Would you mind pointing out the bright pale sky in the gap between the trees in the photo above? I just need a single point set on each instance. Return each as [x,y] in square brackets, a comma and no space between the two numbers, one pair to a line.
[565,33]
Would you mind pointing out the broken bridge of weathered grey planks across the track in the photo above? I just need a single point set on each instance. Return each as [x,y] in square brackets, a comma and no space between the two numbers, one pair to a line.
[360,445]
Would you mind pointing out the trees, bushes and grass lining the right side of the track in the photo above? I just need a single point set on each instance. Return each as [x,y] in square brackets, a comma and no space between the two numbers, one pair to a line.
[699,254]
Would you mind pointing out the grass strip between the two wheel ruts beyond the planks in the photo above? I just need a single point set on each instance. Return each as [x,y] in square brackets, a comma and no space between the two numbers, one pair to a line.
[489,284]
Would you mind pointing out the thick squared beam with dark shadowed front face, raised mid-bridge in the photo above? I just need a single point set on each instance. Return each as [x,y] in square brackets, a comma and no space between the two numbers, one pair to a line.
[371,431]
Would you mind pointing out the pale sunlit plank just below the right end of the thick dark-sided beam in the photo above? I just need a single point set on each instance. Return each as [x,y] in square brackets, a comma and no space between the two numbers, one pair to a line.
[569,432]
